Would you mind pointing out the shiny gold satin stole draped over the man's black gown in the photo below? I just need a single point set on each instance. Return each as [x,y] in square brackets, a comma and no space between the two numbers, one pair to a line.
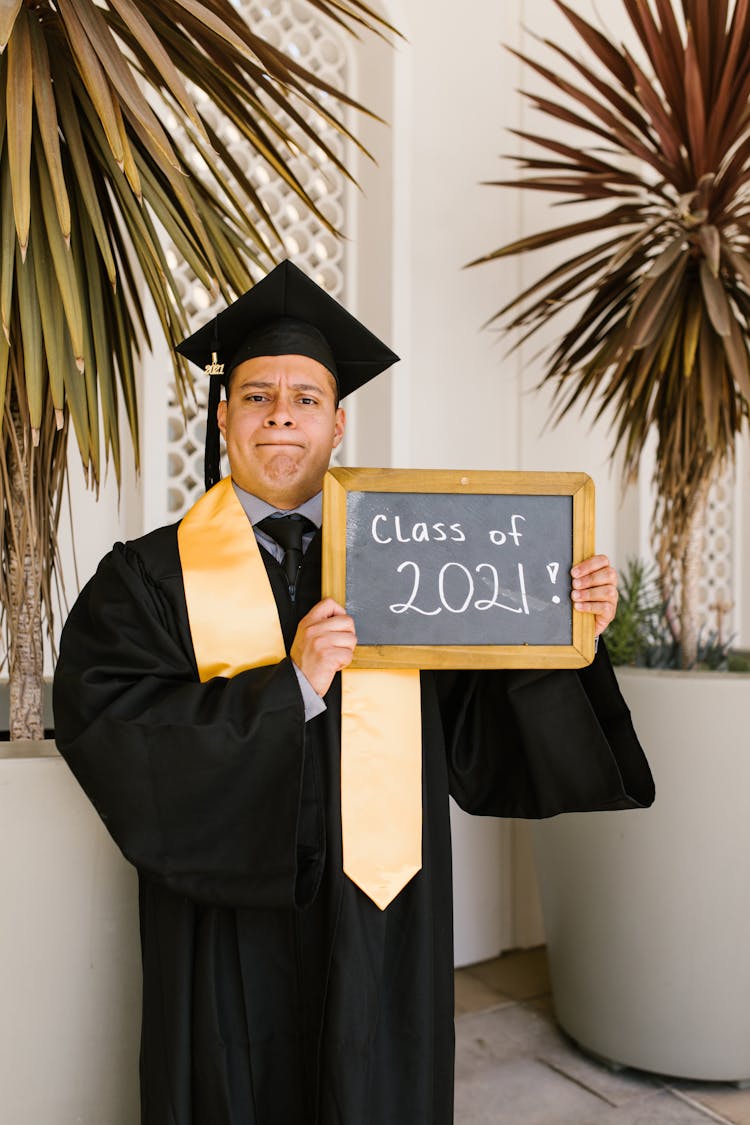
[381,721]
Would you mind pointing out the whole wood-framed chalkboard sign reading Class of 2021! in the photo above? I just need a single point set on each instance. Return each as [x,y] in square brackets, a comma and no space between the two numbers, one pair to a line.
[449,570]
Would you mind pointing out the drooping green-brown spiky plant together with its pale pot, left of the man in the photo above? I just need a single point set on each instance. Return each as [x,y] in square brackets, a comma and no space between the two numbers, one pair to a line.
[107,143]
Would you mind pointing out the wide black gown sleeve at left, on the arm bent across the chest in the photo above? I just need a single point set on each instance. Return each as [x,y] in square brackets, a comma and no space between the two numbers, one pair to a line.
[201,785]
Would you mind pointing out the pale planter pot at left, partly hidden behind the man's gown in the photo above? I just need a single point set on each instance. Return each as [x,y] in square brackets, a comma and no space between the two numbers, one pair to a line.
[70,971]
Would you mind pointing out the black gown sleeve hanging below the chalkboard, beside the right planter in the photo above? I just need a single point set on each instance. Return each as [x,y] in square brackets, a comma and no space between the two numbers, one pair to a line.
[537,743]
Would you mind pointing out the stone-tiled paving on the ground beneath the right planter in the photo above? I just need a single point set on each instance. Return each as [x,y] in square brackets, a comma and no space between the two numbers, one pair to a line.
[516,1067]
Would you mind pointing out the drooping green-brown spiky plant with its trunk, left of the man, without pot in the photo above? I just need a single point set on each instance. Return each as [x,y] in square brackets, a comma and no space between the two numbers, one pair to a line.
[91,178]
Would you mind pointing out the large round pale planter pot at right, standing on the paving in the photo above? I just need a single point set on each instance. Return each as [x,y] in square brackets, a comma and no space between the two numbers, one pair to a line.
[647,913]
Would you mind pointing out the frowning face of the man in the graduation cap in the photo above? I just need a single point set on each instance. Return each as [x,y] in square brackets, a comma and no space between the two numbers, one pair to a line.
[281,425]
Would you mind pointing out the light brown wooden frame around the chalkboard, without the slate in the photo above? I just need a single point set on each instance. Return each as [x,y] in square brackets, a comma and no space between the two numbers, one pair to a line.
[340,482]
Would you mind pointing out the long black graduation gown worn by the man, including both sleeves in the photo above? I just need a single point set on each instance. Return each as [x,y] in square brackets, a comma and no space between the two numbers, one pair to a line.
[275,992]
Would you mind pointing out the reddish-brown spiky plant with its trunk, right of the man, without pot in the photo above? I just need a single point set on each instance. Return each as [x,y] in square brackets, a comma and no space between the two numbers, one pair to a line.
[653,143]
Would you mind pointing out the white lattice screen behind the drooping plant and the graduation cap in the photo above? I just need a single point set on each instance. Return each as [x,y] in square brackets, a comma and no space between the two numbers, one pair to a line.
[320,47]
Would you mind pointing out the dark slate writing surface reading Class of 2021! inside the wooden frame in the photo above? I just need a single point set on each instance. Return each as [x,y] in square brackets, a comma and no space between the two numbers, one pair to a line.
[427,569]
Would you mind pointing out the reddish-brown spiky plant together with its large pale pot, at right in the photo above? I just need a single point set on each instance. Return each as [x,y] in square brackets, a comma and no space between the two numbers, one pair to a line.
[646,916]
